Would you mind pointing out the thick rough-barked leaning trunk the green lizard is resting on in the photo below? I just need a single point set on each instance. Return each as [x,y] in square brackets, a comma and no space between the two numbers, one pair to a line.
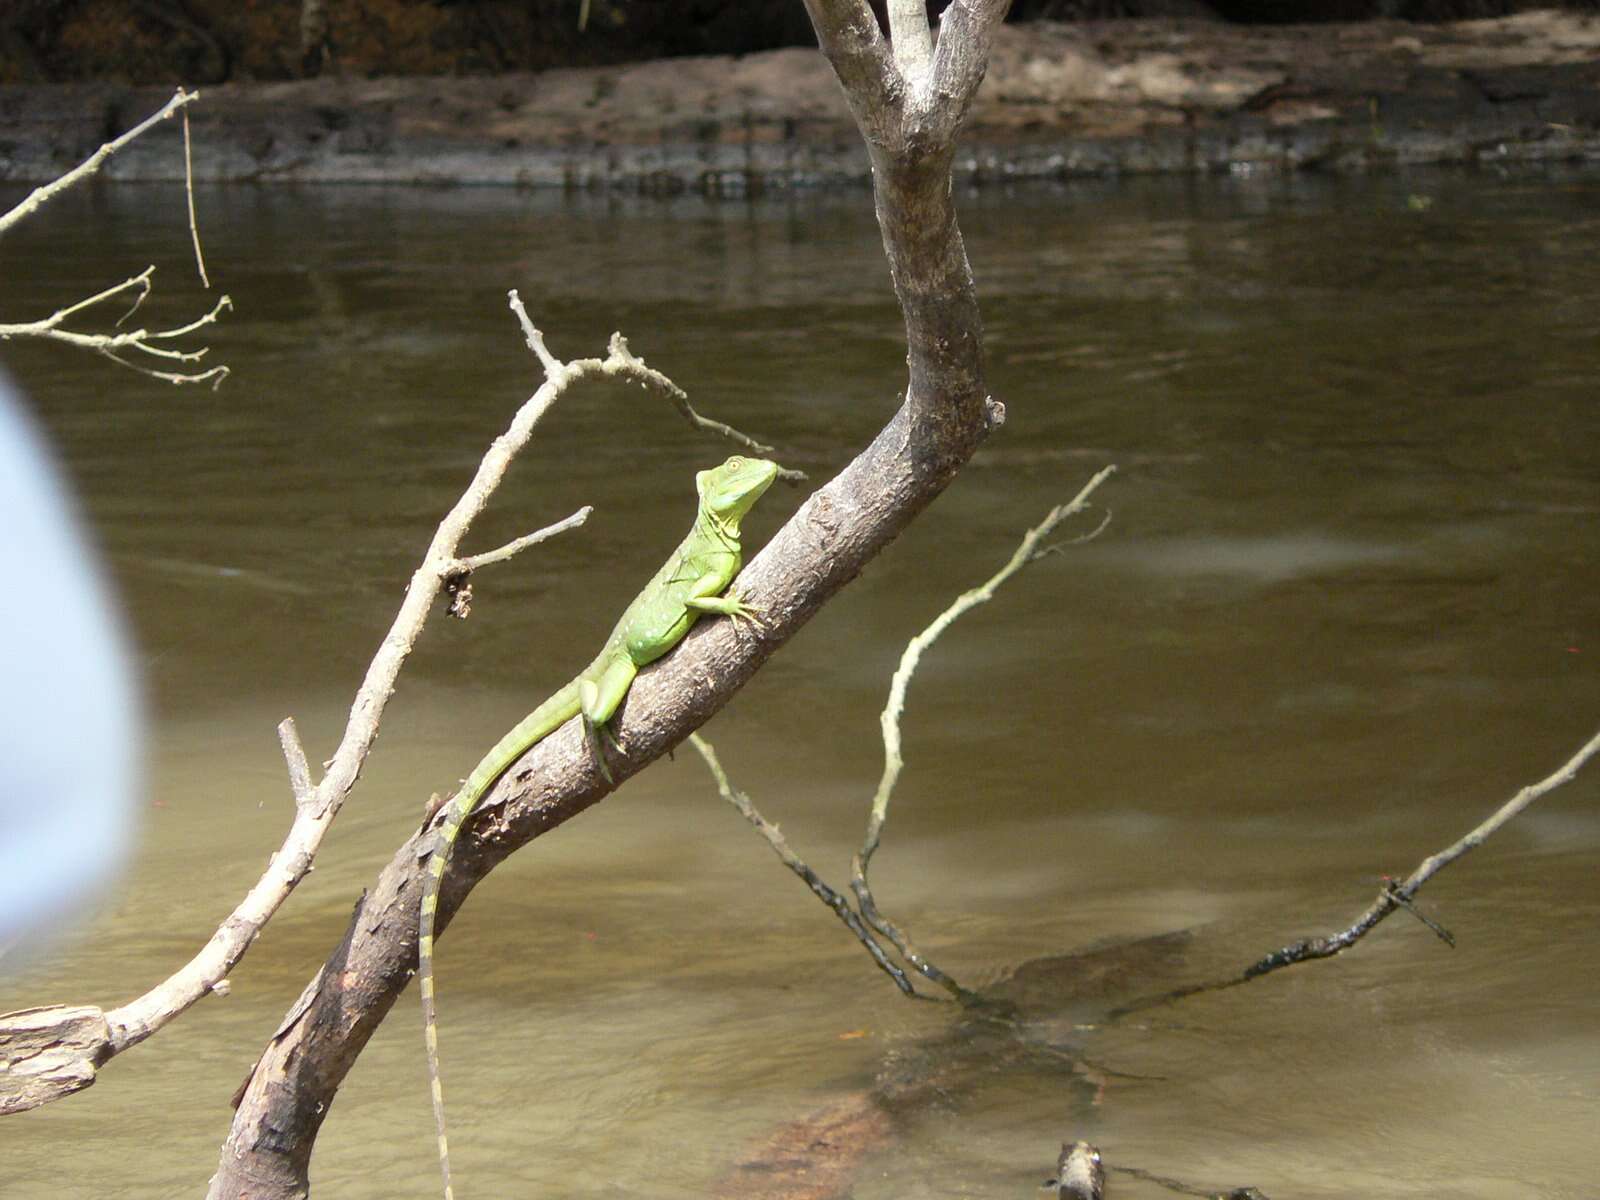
[910,108]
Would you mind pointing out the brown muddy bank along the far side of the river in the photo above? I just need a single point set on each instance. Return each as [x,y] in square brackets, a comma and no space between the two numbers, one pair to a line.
[1062,102]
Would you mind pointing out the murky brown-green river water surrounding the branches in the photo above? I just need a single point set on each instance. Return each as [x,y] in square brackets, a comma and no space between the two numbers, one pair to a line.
[1345,609]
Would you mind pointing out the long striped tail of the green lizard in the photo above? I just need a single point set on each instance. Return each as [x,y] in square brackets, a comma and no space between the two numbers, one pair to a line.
[529,732]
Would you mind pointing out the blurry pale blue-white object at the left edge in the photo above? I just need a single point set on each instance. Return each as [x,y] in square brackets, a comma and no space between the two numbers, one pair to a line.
[70,711]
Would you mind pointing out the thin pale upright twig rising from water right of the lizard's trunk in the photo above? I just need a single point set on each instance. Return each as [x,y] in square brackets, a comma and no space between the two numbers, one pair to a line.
[1026,553]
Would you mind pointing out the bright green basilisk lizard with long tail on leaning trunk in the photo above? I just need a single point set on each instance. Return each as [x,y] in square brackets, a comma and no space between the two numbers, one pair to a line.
[694,582]
